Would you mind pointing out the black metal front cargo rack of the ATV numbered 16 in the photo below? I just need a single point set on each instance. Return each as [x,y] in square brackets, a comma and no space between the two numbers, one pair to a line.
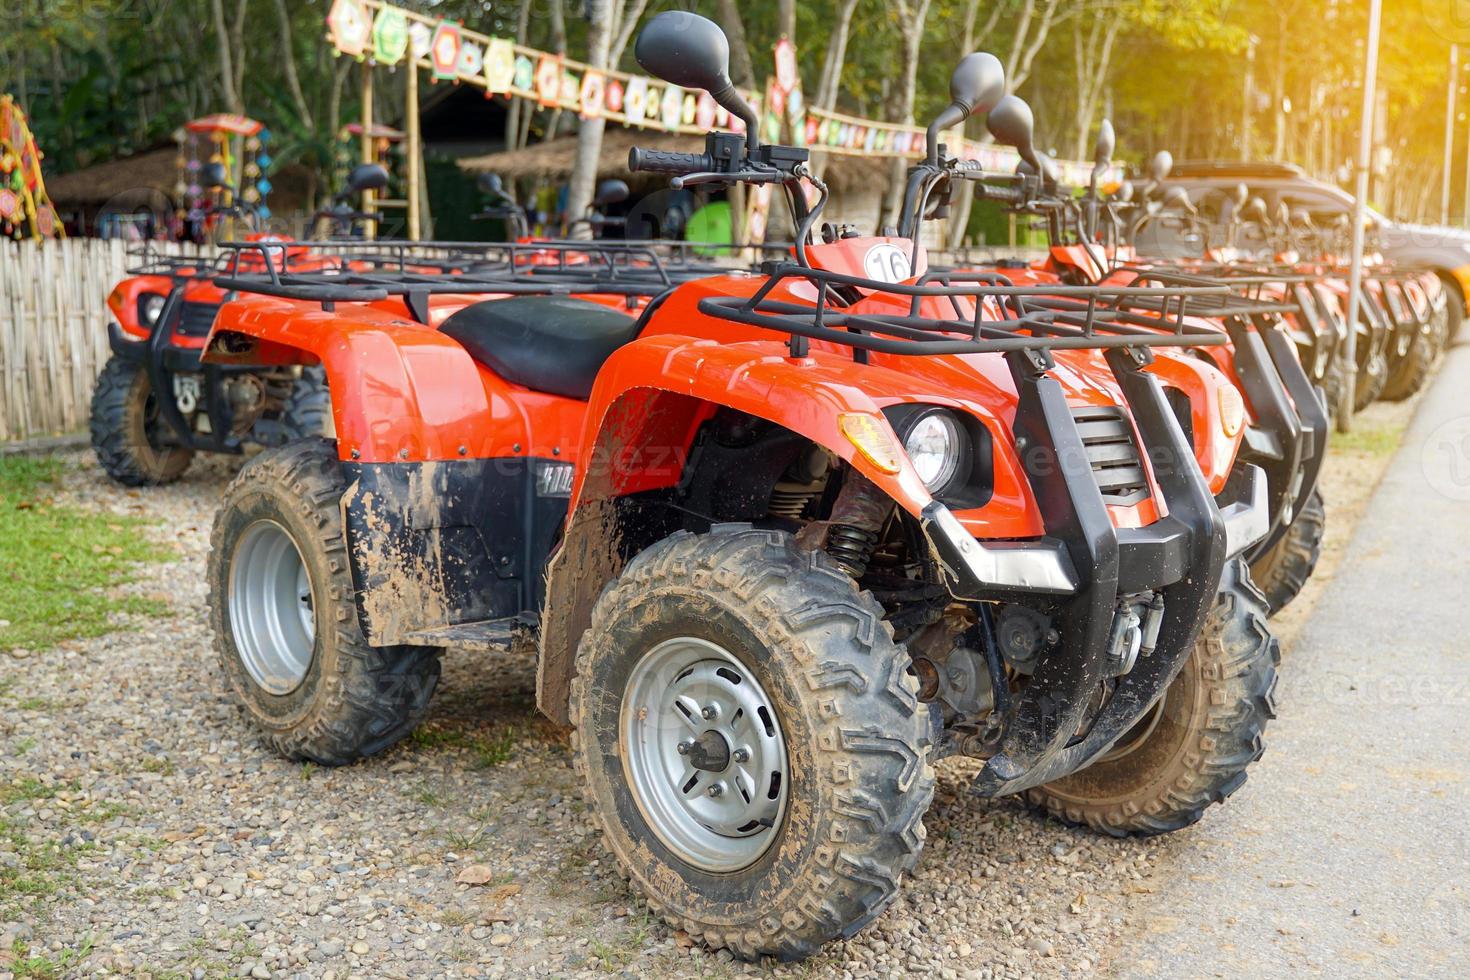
[978,314]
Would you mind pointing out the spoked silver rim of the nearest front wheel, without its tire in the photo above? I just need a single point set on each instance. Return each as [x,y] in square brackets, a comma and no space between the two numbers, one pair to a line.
[689,707]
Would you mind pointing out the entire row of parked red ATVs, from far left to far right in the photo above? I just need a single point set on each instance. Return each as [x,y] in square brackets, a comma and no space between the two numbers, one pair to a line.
[784,537]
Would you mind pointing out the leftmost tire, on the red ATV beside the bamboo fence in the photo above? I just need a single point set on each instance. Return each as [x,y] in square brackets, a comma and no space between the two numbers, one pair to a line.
[126,428]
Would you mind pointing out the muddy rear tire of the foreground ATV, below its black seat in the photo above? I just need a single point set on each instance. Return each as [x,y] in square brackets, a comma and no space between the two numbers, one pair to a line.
[354,700]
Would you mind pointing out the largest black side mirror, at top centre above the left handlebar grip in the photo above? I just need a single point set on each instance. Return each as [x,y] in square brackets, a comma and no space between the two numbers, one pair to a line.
[693,52]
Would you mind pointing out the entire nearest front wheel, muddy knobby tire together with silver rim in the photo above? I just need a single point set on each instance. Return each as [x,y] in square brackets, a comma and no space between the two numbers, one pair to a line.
[787,633]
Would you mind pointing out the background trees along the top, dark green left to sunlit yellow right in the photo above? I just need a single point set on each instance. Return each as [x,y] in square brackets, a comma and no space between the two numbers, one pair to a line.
[112,77]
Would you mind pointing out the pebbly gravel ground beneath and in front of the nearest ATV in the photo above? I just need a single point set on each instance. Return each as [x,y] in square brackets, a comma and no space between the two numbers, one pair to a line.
[176,846]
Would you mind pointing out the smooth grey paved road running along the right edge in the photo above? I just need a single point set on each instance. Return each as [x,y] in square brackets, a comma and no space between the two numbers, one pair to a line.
[1349,851]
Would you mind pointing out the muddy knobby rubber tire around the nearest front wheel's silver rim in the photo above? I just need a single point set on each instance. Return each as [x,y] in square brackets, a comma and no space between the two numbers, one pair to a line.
[856,737]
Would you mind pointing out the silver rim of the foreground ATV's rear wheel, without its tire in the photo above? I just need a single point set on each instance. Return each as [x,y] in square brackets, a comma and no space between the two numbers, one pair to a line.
[271,615]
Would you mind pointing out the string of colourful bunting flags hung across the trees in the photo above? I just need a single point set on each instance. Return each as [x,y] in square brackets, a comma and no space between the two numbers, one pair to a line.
[389,36]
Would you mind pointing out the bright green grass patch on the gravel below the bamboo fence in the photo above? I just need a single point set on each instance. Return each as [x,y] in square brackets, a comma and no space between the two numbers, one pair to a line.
[57,563]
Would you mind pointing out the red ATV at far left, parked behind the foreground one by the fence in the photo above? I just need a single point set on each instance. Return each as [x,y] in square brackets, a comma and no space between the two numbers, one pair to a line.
[157,403]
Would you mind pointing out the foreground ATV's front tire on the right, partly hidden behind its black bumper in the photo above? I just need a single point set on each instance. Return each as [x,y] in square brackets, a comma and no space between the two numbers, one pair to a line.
[1205,737]
